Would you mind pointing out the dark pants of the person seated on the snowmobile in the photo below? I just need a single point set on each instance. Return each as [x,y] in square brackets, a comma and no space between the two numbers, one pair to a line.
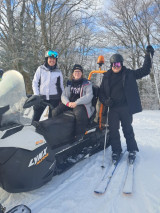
[81,116]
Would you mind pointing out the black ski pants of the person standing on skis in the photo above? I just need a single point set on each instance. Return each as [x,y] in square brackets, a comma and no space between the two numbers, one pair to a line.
[117,115]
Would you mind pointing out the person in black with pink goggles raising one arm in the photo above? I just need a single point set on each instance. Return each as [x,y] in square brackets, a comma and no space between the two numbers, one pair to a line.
[119,92]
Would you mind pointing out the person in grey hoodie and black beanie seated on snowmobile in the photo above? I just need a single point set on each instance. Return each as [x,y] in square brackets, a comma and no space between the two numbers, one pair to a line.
[77,96]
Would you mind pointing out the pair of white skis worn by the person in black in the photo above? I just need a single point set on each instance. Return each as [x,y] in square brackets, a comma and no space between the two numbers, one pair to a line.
[104,182]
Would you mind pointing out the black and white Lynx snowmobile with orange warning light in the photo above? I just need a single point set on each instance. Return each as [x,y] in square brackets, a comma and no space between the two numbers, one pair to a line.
[31,153]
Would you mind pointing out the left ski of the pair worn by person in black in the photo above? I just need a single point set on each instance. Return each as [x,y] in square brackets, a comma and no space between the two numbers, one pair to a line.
[103,185]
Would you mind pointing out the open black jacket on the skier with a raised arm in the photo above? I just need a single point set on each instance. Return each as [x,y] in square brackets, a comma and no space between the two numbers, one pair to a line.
[129,78]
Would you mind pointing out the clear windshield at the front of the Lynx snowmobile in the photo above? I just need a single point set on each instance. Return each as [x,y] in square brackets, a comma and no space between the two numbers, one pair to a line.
[13,94]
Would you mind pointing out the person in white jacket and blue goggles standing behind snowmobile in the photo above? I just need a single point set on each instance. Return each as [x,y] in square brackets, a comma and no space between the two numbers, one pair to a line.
[48,83]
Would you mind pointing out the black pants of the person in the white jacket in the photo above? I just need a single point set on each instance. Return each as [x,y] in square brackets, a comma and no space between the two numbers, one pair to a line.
[38,110]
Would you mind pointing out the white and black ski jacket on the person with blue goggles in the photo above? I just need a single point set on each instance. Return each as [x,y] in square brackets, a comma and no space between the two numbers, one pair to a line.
[44,81]
